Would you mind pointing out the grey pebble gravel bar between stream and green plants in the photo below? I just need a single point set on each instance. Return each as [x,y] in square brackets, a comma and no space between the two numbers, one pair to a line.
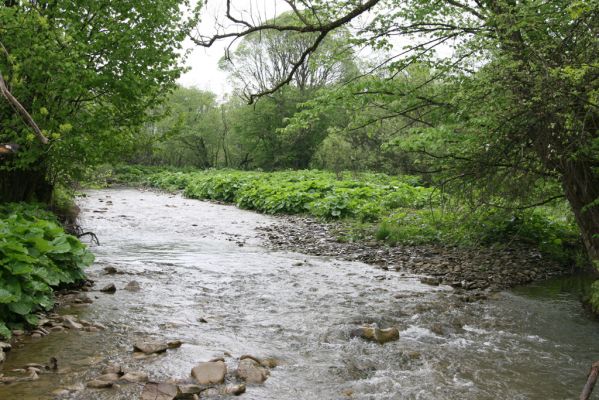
[464,269]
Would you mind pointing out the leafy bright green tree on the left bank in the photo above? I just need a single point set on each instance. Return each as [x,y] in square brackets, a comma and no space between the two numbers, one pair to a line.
[86,71]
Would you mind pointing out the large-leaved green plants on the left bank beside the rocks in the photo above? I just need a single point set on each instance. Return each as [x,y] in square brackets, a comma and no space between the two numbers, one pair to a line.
[36,257]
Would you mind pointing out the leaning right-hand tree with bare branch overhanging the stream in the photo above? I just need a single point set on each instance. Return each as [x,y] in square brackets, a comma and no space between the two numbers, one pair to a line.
[521,84]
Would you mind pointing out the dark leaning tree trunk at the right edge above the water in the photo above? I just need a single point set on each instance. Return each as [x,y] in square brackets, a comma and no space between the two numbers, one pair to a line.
[581,186]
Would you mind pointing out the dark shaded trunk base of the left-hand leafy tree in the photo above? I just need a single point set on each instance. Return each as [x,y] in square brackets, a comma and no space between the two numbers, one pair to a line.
[25,185]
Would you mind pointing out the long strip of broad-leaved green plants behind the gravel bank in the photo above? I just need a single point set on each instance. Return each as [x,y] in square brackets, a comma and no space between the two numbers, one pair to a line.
[398,210]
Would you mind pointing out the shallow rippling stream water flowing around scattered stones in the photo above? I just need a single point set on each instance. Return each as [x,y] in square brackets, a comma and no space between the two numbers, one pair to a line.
[206,280]
